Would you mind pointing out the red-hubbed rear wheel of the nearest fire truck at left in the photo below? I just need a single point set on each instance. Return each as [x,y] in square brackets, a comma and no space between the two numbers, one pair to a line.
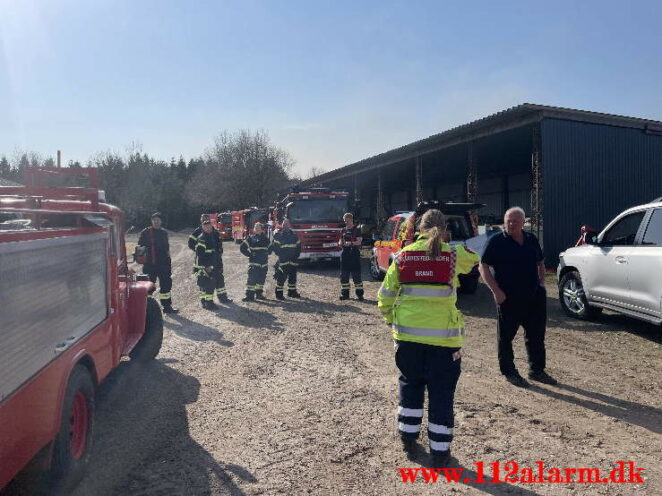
[72,446]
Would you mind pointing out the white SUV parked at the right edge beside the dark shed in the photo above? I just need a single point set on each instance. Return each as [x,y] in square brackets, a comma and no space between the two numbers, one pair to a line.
[619,269]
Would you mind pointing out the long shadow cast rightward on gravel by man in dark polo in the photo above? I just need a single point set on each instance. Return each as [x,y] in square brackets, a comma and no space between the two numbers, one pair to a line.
[645,416]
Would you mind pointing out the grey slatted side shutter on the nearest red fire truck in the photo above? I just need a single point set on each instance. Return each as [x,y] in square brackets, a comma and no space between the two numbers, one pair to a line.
[53,293]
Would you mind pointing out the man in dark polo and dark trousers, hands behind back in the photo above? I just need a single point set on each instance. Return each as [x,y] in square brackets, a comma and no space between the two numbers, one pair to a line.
[518,286]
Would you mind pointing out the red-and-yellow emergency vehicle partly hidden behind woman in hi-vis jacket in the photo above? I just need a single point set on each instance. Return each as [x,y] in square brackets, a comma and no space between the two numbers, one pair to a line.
[401,229]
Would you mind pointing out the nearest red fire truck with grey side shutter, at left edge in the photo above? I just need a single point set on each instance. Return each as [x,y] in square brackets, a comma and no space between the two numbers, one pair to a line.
[70,309]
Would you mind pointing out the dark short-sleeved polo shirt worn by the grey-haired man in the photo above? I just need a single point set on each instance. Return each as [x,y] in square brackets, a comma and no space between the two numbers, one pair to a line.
[515,266]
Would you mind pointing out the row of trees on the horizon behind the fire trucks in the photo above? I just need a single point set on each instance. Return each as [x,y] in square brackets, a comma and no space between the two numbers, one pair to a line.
[240,170]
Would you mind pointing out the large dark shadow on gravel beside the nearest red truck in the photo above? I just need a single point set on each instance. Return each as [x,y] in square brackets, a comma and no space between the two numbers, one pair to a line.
[142,440]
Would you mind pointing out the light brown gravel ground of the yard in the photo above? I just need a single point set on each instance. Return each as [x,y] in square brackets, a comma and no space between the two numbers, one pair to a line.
[299,397]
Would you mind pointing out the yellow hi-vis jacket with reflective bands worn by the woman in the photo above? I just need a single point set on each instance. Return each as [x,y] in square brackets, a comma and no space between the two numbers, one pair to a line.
[426,313]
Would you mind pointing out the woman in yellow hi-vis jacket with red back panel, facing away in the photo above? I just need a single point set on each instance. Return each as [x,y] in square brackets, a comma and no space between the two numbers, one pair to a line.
[417,299]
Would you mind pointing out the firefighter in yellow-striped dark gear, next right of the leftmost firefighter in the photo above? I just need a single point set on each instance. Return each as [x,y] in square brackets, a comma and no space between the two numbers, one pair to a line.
[208,266]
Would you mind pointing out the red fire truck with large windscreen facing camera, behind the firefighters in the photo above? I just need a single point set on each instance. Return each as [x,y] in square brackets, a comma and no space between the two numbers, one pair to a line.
[316,217]
